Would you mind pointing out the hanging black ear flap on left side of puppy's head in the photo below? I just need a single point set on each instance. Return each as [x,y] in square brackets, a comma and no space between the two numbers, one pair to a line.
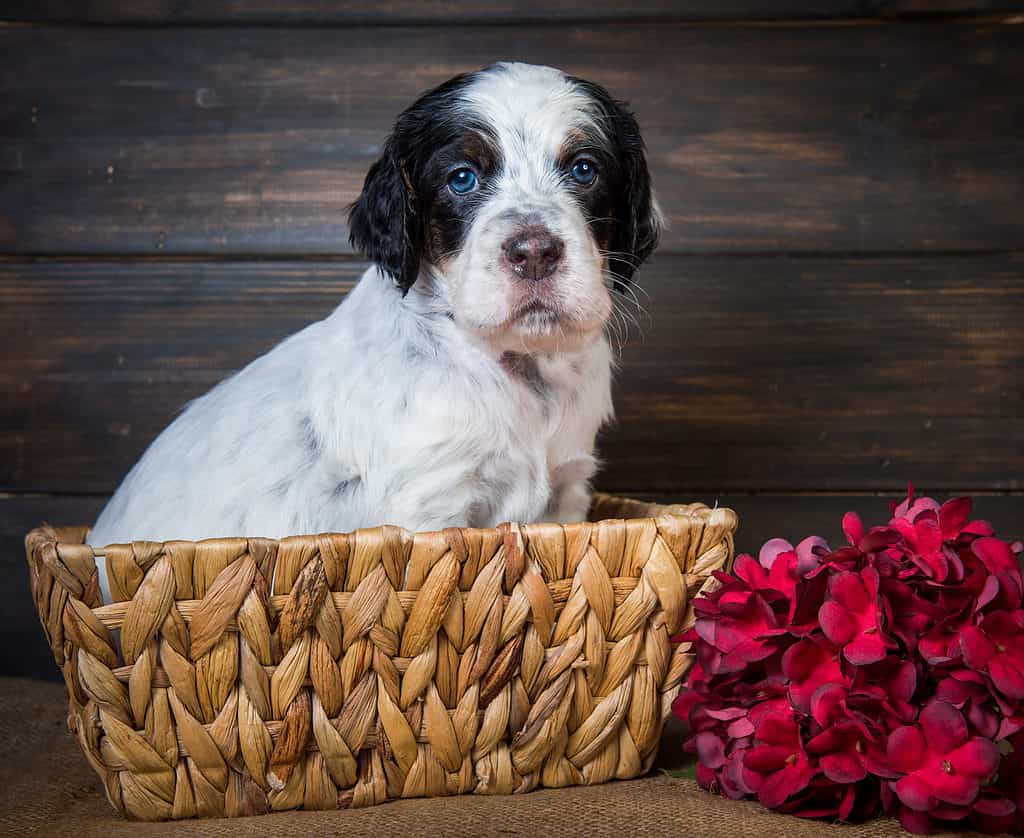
[385,223]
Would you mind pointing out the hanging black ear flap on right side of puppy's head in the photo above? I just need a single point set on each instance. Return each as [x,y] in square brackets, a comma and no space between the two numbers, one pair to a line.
[638,218]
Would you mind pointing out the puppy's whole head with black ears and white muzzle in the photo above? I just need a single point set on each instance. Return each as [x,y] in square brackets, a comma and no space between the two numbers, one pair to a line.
[519,194]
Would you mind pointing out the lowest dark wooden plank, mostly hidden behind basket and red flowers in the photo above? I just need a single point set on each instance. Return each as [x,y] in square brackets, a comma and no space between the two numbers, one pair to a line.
[24,650]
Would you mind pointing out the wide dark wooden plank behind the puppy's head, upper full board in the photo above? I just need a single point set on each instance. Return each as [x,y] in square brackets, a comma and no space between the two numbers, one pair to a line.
[234,141]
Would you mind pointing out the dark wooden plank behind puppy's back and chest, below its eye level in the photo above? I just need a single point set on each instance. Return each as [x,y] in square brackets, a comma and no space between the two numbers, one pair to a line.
[751,373]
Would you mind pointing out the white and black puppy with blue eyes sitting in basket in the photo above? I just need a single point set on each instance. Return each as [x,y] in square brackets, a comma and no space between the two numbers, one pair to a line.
[462,383]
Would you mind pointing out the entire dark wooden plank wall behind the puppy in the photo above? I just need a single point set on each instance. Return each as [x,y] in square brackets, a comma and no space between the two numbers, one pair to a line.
[835,311]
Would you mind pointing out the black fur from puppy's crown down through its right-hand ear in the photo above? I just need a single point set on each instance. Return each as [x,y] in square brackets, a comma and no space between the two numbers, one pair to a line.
[638,224]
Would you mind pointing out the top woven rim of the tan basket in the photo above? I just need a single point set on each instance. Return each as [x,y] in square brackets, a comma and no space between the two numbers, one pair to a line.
[698,513]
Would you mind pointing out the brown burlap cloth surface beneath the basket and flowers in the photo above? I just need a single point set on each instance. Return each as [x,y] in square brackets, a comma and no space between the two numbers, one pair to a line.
[47,788]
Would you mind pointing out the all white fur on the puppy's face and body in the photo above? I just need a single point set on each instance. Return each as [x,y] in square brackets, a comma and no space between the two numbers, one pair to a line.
[400,410]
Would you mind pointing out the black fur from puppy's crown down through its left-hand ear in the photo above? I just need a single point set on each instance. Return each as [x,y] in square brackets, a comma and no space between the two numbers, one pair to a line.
[388,220]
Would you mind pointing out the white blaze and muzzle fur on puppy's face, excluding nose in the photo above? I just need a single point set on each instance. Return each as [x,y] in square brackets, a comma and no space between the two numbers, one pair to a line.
[531,110]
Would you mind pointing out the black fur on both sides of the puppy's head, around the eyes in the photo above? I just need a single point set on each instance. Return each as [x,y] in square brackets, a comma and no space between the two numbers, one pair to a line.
[406,214]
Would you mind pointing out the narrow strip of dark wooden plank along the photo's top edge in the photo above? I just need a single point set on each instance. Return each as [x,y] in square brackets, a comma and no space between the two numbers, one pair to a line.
[276,13]
